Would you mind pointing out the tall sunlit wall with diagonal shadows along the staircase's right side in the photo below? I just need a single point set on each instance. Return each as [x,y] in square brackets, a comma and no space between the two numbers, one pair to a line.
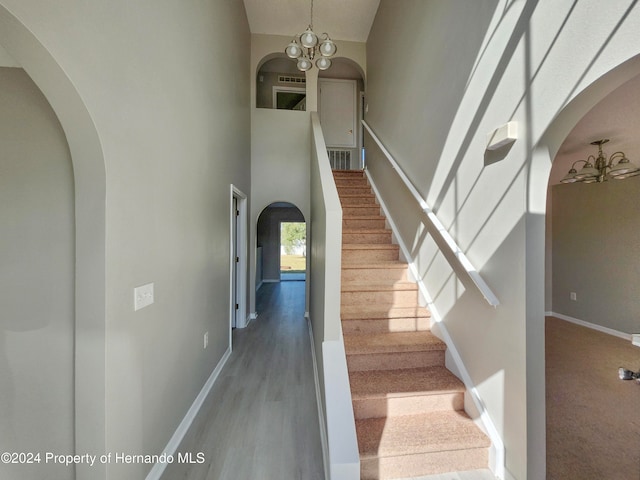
[478,66]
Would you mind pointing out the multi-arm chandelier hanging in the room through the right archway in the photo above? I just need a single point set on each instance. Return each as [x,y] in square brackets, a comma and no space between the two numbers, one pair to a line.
[599,169]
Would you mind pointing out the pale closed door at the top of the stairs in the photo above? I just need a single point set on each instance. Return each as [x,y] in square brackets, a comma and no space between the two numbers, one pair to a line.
[338,112]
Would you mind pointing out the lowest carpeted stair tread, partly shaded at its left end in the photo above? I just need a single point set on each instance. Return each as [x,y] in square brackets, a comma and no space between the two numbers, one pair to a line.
[415,434]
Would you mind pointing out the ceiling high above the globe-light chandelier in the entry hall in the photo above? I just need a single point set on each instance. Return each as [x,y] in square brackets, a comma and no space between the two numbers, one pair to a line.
[348,20]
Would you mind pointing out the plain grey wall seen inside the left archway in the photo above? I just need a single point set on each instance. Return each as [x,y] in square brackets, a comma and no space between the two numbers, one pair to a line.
[36,279]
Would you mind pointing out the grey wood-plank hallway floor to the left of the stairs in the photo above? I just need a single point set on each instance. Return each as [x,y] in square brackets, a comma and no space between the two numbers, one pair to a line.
[260,420]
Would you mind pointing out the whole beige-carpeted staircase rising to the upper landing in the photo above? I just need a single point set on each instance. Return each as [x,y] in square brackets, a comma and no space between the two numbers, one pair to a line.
[409,408]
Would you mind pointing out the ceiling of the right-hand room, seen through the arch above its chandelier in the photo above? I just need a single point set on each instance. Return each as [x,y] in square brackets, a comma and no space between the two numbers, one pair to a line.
[616,117]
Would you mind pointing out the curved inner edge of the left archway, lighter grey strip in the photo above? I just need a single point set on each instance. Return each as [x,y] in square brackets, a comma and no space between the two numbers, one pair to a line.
[90,254]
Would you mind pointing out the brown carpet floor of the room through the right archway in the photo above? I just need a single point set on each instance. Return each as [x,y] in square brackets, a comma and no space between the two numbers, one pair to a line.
[593,418]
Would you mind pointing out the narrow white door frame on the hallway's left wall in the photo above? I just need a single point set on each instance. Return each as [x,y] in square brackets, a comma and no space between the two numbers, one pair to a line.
[237,269]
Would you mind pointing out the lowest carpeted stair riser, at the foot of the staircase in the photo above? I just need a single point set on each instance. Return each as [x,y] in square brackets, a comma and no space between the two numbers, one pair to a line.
[433,463]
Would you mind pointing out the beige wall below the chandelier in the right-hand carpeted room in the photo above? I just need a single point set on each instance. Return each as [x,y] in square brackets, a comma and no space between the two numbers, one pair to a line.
[595,240]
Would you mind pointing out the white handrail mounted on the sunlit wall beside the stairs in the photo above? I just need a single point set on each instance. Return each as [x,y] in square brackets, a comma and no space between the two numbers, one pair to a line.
[463,261]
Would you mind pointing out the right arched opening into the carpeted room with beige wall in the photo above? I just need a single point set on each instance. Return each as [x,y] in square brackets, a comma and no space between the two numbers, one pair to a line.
[592,310]
